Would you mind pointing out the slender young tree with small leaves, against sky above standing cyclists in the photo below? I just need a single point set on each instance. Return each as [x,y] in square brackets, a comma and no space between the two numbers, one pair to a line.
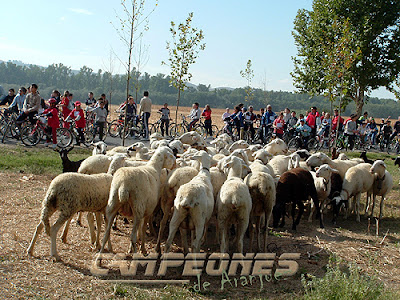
[183,52]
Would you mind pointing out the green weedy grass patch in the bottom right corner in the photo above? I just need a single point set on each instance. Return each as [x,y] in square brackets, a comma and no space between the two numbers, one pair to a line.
[344,282]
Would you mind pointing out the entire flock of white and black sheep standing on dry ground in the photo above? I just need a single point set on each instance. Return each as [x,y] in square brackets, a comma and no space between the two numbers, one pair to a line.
[192,185]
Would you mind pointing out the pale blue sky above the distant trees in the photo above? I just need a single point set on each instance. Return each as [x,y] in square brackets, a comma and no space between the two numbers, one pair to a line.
[77,33]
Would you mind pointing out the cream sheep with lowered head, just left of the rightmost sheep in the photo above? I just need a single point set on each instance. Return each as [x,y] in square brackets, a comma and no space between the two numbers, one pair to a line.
[358,179]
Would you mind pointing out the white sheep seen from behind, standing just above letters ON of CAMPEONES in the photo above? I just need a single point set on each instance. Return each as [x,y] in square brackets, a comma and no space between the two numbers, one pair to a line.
[234,205]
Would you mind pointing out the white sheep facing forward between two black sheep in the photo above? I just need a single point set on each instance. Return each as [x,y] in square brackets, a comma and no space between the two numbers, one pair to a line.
[322,180]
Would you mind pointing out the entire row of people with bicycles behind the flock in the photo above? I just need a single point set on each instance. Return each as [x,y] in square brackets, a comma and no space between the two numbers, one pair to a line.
[61,110]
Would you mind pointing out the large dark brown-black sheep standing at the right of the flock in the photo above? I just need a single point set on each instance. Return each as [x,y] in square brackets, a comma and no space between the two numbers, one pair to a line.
[294,186]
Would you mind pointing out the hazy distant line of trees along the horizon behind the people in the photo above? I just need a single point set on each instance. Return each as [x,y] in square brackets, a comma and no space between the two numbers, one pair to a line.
[61,77]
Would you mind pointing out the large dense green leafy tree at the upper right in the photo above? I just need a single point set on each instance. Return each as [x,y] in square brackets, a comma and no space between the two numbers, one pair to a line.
[374,30]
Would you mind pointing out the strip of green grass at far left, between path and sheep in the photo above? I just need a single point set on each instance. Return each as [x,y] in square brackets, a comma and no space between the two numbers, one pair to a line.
[35,160]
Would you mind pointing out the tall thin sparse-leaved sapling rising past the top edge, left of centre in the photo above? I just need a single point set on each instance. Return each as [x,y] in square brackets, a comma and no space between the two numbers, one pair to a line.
[132,27]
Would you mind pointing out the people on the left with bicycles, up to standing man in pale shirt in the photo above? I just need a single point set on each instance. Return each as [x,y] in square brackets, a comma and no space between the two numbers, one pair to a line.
[60,111]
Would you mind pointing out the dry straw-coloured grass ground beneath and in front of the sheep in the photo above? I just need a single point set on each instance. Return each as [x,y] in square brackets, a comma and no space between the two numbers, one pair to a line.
[39,277]
